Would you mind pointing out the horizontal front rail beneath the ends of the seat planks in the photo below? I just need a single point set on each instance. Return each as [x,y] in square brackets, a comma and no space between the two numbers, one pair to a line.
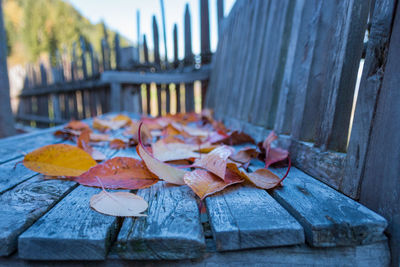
[376,254]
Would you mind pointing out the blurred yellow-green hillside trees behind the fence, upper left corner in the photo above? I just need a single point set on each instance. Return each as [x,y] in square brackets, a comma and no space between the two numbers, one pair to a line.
[37,28]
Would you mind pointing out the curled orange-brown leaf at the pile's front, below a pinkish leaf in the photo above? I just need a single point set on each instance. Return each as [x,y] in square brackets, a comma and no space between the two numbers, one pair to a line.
[204,183]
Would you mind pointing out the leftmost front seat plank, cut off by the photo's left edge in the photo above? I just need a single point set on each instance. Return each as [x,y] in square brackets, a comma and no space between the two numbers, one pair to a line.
[24,204]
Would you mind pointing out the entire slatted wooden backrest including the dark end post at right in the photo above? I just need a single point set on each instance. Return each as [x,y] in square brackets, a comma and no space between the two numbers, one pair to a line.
[292,67]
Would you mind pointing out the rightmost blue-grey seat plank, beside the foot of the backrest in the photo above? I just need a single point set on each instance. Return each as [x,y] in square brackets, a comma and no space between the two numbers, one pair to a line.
[329,218]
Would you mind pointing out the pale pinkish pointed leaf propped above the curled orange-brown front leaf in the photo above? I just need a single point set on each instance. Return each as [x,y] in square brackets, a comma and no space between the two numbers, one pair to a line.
[215,161]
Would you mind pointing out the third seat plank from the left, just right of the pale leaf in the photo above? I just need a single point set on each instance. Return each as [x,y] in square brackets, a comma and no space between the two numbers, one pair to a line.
[172,229]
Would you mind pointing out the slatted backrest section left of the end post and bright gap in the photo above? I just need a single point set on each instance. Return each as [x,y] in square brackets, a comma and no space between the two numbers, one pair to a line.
[291,66]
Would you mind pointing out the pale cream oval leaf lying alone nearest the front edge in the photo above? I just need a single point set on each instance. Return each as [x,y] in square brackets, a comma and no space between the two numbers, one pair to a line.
[120,204]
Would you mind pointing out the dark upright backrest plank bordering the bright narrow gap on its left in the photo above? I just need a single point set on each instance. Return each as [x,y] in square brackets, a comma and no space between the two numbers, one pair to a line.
[338,87]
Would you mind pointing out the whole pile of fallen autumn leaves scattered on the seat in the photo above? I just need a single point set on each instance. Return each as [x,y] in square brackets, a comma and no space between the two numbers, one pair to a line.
[184,149]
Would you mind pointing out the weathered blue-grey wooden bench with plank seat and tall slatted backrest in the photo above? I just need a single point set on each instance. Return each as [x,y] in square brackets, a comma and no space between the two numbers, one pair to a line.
[288,66]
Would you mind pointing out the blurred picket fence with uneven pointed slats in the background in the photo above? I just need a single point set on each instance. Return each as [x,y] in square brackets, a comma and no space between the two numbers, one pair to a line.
[132,79]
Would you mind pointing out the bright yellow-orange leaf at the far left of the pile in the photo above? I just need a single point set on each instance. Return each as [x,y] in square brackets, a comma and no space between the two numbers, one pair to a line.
[59,160]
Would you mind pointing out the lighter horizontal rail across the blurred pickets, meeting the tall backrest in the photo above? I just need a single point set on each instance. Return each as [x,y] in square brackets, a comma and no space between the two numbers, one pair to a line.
[159,78]
